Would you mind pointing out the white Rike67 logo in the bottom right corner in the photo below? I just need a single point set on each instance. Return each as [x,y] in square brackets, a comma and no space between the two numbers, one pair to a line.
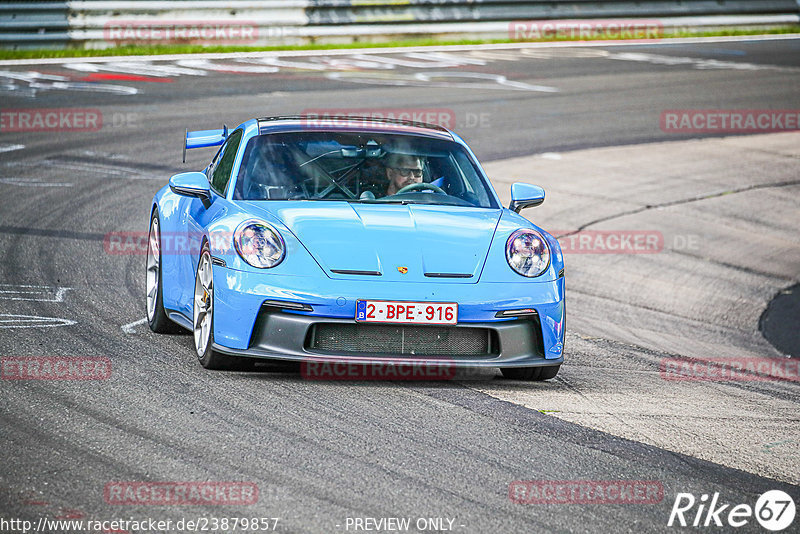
[774,510]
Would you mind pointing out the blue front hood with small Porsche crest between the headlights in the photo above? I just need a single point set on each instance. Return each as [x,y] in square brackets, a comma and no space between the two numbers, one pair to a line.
[434,243]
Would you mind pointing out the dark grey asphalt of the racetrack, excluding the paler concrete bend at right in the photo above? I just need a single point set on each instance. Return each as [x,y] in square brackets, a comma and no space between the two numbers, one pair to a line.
[320,452]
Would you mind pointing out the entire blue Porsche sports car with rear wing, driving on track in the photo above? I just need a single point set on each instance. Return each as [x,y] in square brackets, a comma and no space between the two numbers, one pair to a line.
[353,240]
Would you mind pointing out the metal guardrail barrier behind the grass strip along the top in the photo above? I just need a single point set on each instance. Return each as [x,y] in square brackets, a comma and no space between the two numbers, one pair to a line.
[103,23]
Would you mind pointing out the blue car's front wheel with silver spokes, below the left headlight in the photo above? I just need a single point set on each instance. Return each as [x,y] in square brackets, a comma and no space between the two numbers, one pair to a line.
[203,317]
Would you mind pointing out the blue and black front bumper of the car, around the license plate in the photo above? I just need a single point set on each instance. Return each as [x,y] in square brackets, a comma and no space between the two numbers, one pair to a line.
[243,326]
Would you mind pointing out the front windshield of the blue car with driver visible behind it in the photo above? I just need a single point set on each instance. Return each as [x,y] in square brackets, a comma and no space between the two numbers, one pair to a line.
[360,167]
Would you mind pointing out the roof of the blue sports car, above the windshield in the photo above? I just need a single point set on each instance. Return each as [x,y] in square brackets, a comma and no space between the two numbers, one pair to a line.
[337,123]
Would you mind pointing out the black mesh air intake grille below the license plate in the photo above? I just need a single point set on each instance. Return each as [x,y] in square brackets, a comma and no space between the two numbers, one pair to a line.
[402,340]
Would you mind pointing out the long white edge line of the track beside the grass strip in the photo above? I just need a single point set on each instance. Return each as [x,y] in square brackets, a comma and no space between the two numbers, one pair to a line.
[401,50]
